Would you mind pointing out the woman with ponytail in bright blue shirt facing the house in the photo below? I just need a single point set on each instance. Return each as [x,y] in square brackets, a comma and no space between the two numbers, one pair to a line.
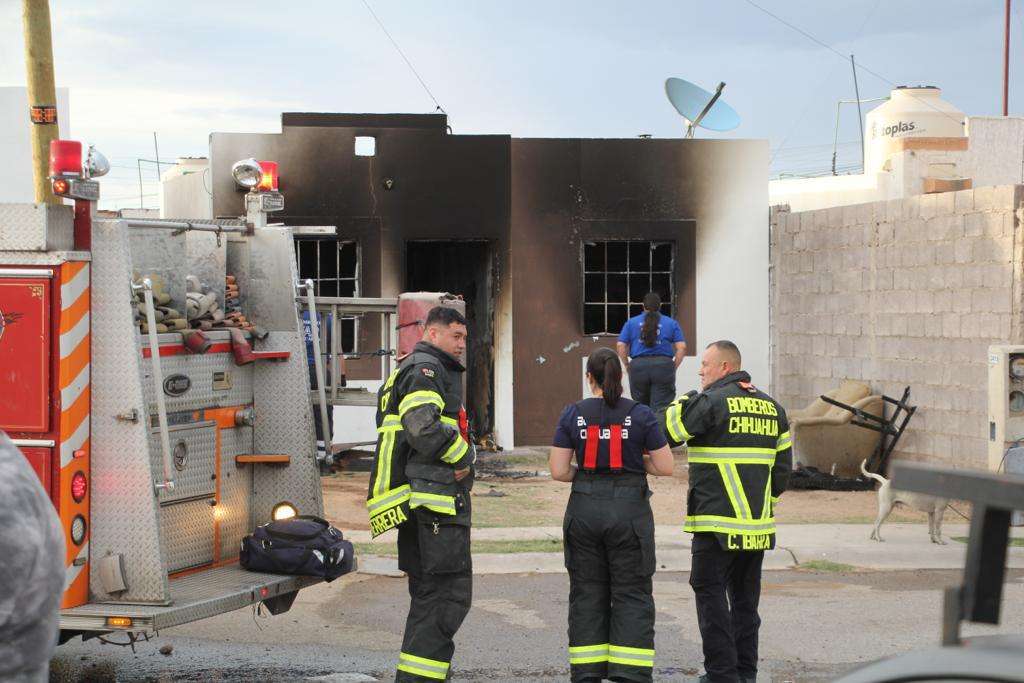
[653,347]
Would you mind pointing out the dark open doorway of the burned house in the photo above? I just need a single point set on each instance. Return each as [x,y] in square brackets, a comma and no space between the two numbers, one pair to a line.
[463,268]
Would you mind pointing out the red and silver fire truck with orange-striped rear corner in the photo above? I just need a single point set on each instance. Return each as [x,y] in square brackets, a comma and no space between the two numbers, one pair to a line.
[160,448]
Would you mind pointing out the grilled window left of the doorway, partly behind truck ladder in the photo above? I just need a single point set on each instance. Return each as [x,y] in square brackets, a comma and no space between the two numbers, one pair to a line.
[334,268]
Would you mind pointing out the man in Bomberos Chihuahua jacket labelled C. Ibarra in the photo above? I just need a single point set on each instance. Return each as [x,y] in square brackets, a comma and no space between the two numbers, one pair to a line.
[740,460]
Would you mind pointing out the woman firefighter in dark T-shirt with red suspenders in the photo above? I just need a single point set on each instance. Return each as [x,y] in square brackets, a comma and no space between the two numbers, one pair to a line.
[609,529]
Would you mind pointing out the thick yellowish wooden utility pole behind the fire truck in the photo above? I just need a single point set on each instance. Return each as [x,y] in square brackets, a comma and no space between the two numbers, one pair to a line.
[42,94]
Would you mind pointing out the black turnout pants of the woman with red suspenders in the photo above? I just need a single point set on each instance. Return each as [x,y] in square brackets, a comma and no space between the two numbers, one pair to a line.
[610,554]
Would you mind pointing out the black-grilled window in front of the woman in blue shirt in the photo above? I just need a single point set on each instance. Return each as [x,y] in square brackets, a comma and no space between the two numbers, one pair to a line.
[617,275]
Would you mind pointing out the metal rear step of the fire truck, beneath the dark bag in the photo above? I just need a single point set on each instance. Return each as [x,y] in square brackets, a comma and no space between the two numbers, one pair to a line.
[194,597]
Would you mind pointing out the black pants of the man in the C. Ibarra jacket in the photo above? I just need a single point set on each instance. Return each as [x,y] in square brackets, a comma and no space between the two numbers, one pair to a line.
[728,589]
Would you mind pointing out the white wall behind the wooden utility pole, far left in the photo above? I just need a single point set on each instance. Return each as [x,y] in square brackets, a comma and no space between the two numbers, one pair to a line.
[16,145]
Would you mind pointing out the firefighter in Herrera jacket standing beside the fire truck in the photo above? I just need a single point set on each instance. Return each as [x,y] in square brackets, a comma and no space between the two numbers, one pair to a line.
[420,486]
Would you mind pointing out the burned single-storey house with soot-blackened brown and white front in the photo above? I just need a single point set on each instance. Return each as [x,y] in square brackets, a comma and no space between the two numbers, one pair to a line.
[552,242]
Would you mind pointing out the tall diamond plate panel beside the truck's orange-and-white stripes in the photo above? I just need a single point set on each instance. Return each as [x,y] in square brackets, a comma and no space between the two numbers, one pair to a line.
[124,504]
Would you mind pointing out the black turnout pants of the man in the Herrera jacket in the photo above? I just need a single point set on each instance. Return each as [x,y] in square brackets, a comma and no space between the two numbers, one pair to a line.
[438,561]
